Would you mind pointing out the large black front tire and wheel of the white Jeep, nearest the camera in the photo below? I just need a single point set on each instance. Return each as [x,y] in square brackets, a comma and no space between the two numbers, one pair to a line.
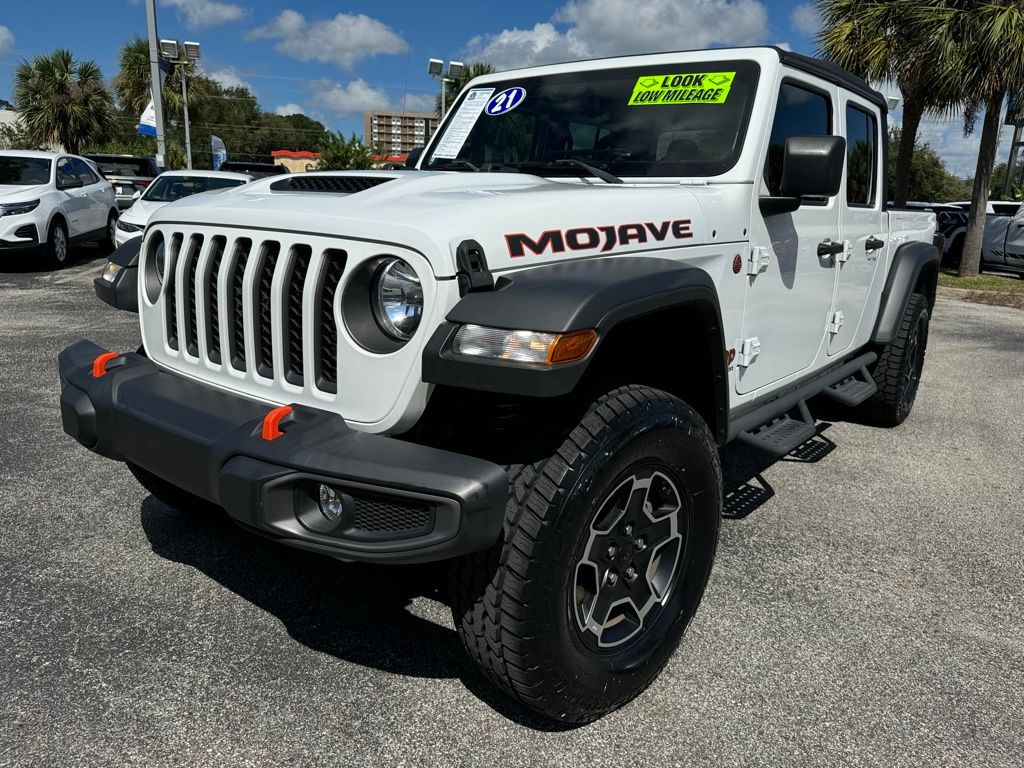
[531,611]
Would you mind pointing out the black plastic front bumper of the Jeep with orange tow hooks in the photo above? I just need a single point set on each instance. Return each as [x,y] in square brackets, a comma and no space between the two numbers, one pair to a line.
[403,502]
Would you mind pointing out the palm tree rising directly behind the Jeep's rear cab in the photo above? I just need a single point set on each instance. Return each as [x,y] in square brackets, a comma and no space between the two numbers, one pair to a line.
[882,40]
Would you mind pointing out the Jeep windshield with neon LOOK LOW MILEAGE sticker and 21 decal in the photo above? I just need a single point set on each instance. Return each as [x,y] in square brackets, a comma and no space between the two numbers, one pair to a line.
[667,120]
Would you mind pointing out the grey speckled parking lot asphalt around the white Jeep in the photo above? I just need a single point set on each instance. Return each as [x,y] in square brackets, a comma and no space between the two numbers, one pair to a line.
[865,610]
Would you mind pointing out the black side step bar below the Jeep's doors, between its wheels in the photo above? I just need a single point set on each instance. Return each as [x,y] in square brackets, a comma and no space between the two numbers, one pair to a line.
[785,421]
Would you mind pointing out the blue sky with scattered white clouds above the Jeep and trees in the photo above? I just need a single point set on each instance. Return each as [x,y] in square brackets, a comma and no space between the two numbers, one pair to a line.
[334,60]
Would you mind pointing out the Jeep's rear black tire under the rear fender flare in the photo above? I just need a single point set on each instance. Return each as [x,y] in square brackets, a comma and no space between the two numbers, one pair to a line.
[898,371]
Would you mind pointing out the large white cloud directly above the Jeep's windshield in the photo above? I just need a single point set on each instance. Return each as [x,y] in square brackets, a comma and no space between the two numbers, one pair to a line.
[605,28]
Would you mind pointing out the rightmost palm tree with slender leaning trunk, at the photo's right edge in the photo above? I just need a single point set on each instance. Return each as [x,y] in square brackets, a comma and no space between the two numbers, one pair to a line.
[980,47]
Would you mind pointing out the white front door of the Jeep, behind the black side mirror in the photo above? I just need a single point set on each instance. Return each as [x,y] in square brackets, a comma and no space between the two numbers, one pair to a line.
[789,304]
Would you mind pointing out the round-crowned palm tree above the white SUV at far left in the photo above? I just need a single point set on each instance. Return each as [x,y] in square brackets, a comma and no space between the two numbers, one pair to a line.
[62,101]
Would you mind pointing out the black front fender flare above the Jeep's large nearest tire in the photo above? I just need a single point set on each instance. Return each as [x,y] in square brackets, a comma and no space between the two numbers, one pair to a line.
[573,296]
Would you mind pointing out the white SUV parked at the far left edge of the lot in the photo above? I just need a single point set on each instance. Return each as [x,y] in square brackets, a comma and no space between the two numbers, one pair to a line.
[50,201]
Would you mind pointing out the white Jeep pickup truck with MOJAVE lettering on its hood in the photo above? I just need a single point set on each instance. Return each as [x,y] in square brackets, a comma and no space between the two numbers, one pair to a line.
[523,355]
